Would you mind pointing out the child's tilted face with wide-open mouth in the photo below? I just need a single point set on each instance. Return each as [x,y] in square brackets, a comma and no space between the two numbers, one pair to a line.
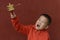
[41,23]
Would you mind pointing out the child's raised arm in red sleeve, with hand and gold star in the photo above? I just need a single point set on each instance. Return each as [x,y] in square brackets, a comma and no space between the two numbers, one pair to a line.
[15,21]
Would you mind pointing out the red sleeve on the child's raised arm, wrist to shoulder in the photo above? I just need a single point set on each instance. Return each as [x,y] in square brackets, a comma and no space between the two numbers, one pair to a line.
[20,27]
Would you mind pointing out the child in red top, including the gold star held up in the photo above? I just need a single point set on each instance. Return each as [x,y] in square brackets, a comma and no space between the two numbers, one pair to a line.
[34,32]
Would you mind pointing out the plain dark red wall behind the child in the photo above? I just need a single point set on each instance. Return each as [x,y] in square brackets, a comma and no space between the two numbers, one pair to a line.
[28,12]
